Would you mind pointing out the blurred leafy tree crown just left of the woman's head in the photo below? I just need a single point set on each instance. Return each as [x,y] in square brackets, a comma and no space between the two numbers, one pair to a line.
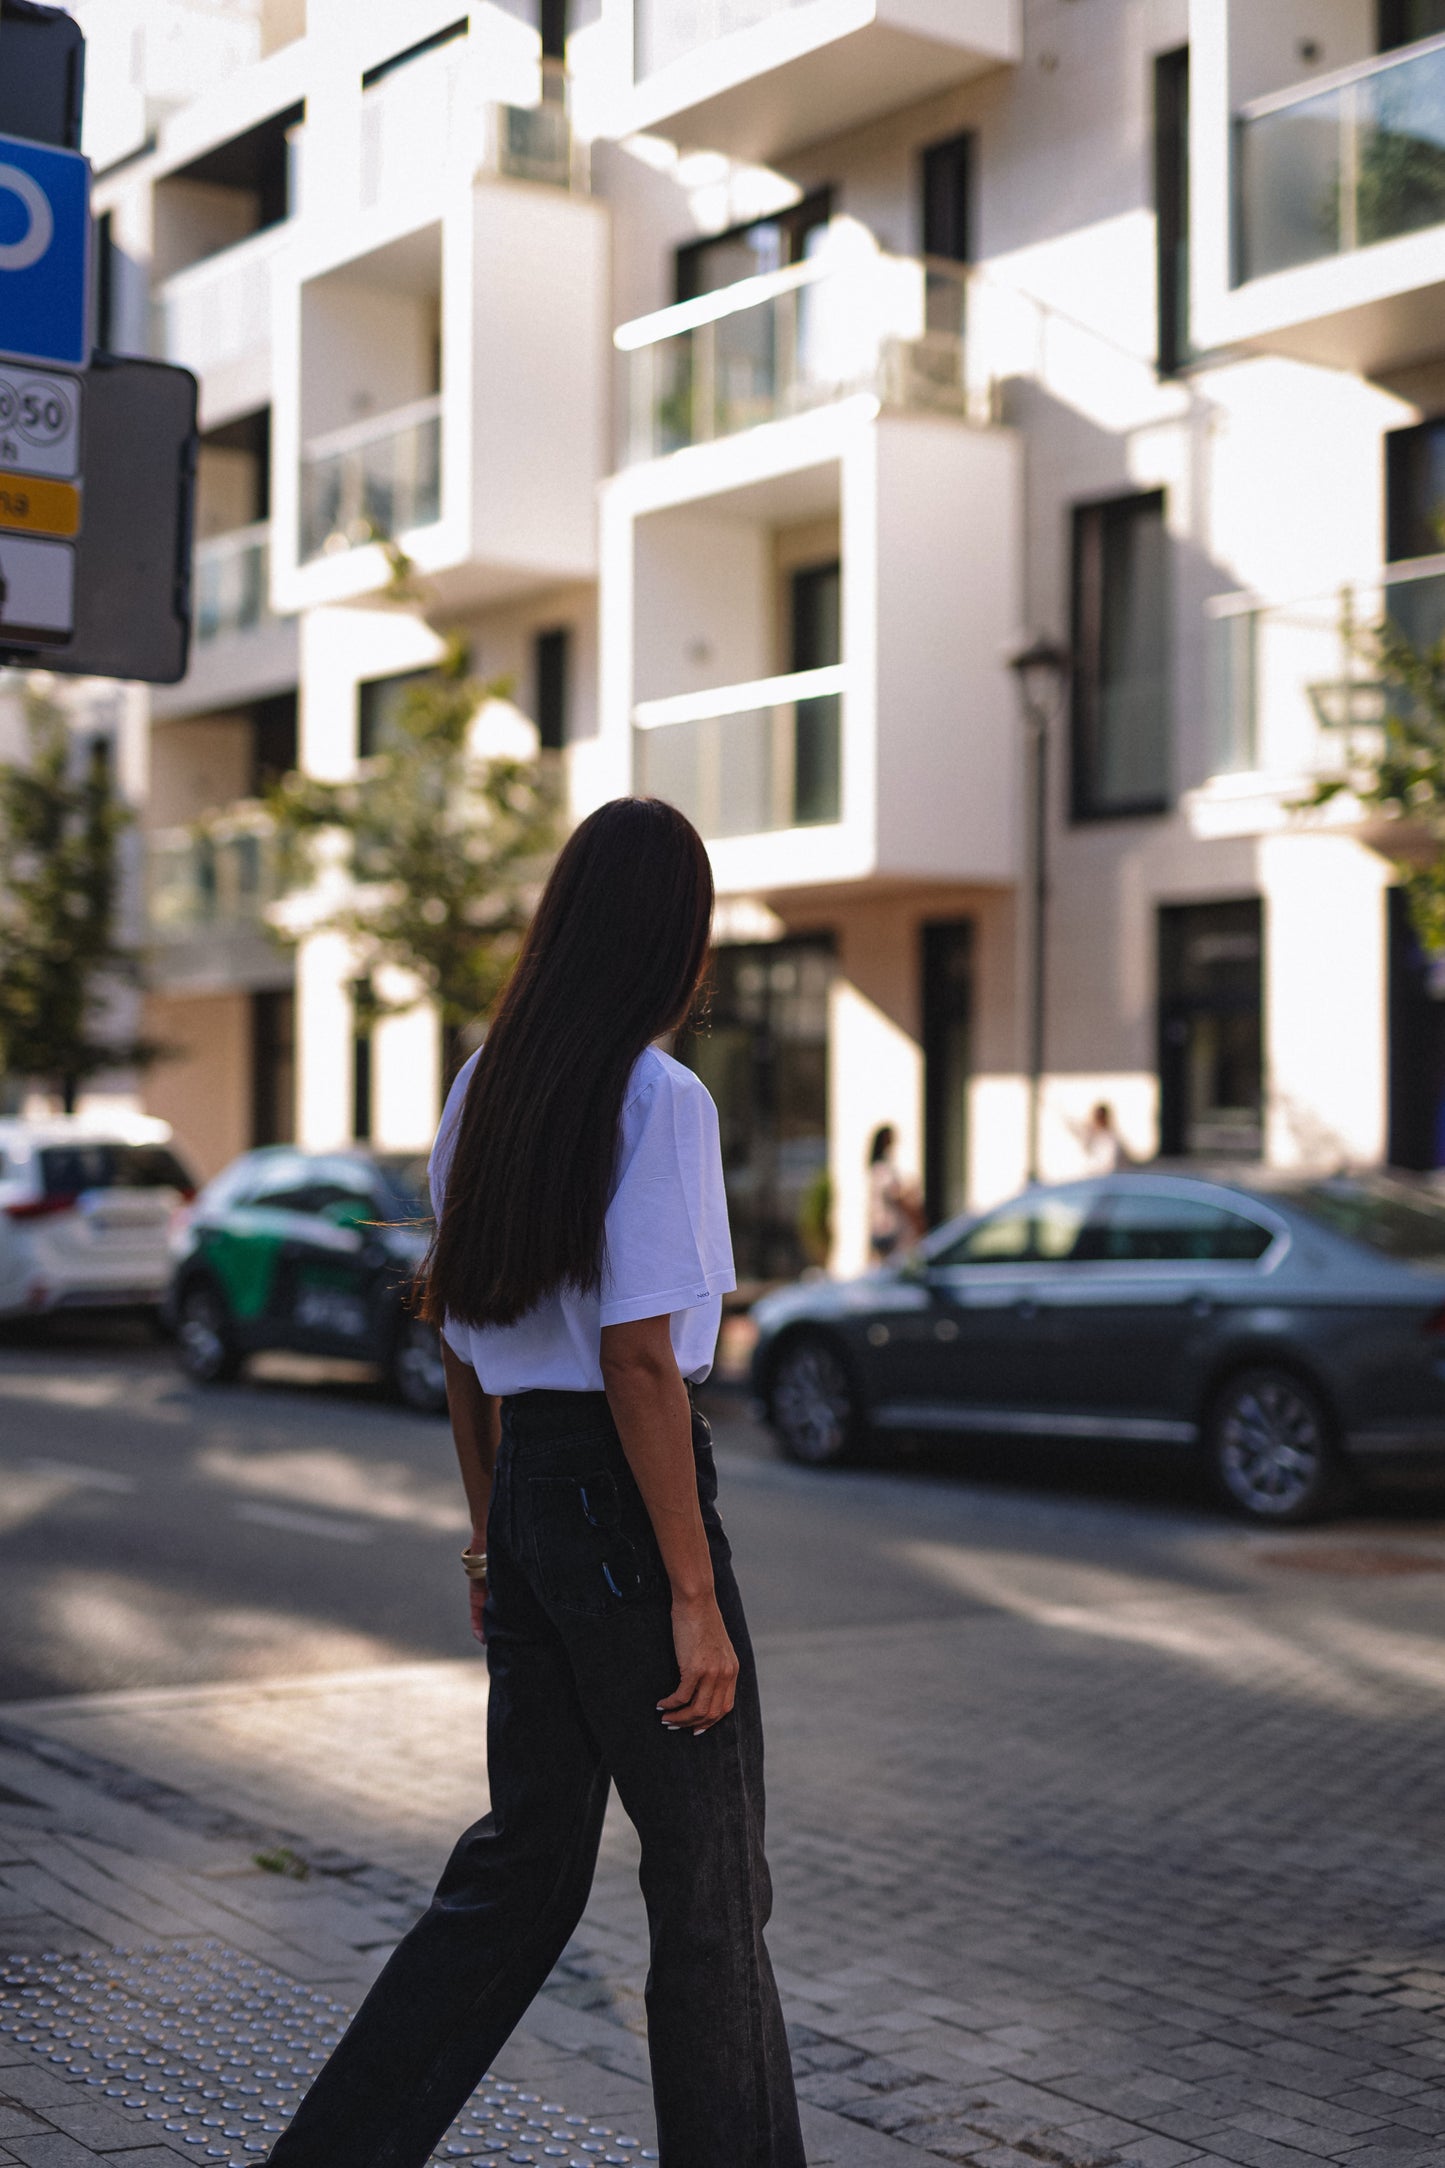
[441,851]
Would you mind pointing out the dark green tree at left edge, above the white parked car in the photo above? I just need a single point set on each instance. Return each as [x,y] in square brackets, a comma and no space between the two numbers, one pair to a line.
[62,959]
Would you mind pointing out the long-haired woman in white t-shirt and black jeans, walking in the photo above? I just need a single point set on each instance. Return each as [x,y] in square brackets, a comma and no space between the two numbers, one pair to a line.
[577,1274]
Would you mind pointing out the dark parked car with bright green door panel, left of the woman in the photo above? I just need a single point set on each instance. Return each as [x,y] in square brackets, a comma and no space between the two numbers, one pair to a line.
[311,1252]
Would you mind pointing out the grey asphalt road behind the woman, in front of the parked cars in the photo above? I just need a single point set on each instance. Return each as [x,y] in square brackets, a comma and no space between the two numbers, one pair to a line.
[161,1534]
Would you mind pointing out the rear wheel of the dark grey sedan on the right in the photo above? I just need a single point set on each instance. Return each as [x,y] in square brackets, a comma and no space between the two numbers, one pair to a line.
[1271,1447]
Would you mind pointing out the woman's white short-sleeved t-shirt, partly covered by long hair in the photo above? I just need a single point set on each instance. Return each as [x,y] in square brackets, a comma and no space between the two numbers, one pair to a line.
[666,1243]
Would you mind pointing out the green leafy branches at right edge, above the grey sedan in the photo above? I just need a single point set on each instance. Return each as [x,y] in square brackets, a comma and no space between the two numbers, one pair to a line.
[1398,773]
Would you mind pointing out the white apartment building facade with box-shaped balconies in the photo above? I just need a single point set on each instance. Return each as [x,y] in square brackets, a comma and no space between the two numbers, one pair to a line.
[753,380]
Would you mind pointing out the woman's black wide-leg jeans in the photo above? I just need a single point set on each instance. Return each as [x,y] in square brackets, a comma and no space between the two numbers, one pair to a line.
[580,1649]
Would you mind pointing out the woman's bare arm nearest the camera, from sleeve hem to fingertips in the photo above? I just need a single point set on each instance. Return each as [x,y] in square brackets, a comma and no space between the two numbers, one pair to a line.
[653,1417]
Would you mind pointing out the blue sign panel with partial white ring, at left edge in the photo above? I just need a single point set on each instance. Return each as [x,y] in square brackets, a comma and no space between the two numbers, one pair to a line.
[44,255]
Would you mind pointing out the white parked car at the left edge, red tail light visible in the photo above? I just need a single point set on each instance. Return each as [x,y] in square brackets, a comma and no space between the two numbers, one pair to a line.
[86,1211]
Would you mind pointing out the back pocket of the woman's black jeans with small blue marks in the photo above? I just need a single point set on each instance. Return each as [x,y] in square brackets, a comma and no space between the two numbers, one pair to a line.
[595,1543]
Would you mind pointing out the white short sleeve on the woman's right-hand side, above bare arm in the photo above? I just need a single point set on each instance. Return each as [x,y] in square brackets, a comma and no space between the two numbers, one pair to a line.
[666,1243]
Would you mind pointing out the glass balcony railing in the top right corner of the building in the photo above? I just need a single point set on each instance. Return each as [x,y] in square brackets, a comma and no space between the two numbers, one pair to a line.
[1329,170]
